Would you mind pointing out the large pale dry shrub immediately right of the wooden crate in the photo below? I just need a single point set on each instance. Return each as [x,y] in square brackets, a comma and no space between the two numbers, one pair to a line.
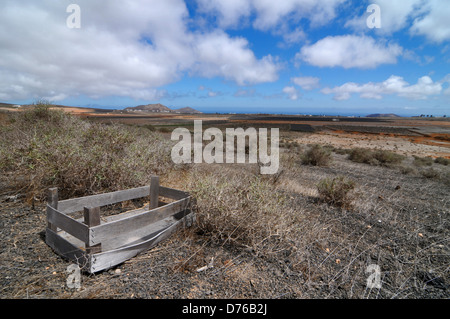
[243,210]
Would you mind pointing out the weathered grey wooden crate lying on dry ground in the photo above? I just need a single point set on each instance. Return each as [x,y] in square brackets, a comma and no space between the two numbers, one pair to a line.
[96,243]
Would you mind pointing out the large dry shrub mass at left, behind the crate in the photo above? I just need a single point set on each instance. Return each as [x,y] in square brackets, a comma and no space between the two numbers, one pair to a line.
[54,149]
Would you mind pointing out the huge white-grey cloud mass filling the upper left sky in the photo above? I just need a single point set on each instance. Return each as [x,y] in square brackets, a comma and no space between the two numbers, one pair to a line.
[123,48]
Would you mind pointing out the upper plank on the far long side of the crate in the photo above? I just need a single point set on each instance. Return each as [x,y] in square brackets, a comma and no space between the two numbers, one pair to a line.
[77,204]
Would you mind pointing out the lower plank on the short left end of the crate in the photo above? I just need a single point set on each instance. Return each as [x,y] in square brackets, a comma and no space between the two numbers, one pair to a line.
[66,249]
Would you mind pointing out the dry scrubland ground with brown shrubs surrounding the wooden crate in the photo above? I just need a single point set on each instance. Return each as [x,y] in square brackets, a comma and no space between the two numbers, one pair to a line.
[312,230]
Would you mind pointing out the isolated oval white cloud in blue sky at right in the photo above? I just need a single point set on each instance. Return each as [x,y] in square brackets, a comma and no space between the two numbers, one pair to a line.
[349,51]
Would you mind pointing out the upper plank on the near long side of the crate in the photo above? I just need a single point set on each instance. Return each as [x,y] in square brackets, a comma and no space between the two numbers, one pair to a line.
[106,231]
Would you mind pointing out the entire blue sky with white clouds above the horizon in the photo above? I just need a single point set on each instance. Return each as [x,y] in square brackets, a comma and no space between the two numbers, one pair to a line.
[288,56]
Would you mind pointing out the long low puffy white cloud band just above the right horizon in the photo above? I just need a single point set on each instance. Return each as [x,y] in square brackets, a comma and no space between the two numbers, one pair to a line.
[424,88]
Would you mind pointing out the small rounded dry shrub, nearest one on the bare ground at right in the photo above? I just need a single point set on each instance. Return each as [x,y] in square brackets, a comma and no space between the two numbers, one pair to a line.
[336,191]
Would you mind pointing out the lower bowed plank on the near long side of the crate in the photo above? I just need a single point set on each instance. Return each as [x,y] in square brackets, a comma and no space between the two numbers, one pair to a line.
[111,258]
